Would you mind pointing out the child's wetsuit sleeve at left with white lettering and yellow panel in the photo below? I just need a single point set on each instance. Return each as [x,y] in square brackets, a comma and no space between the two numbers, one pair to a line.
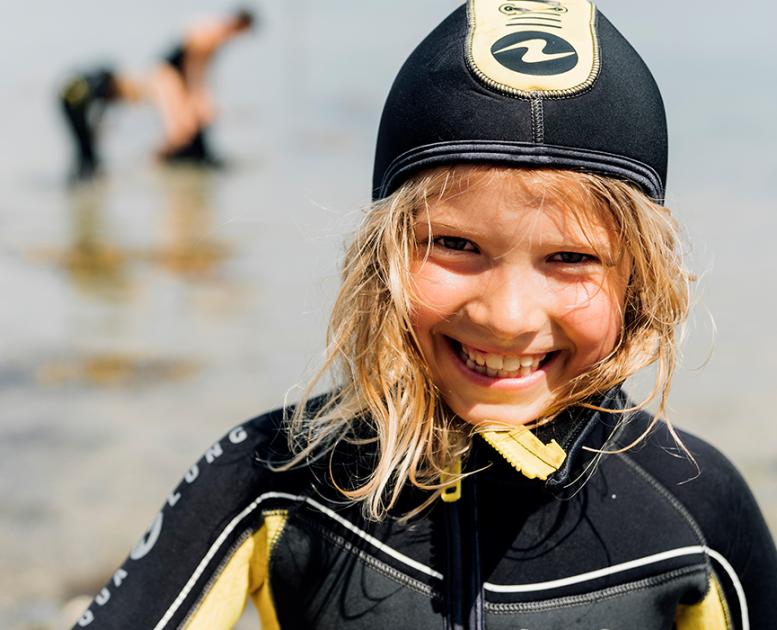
[205,552]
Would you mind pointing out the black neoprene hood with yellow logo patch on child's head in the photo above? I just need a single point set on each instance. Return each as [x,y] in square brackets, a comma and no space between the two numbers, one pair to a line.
[522,92]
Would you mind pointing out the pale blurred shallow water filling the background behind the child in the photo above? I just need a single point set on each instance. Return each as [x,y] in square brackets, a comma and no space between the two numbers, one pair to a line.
[148,312]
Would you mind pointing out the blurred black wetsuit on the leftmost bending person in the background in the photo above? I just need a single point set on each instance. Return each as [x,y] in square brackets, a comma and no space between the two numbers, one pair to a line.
[83,100]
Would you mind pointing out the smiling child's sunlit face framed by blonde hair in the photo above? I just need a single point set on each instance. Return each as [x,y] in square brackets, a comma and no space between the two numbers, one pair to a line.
[514,294]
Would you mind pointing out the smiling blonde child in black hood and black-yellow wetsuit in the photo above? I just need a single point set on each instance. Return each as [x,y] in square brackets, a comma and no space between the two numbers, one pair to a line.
[478,464]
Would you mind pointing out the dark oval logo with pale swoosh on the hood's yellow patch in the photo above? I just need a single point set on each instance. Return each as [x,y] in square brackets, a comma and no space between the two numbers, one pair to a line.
[535,53]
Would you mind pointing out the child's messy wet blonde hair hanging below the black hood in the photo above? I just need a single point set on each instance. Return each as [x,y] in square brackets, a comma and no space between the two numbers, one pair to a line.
[379,374]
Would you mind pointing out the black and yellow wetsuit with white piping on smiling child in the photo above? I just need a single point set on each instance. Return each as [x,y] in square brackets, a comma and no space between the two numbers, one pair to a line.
[644,544]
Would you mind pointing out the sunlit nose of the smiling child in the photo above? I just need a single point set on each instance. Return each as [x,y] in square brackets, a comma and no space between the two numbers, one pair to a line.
[510,305]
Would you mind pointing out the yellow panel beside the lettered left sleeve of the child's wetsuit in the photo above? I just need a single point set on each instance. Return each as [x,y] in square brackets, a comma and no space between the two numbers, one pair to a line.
[245,573]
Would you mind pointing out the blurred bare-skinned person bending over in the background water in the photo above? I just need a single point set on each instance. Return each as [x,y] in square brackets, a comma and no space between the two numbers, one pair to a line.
[181,94]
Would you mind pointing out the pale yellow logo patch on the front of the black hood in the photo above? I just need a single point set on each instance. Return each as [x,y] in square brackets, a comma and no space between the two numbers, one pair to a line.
[522,47]
